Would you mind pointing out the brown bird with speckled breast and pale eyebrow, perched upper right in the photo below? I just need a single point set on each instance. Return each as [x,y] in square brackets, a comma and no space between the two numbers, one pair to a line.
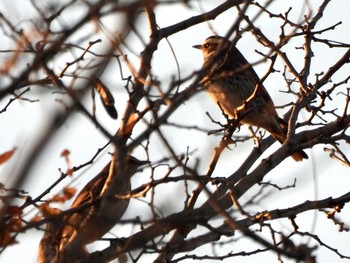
[232,83]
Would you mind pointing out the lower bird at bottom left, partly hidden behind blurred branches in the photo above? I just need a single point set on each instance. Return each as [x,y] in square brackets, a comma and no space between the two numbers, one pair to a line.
[90,223]
